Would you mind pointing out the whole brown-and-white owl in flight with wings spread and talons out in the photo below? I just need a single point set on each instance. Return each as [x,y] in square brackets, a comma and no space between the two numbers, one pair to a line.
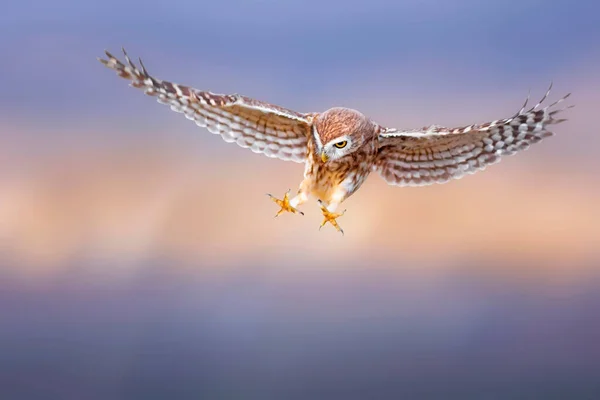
[341,147]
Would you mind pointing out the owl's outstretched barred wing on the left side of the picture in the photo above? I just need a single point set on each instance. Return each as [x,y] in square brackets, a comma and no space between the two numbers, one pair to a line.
[264,128]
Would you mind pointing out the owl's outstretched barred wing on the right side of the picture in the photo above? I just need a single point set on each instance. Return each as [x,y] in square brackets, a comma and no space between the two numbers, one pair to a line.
[437,154]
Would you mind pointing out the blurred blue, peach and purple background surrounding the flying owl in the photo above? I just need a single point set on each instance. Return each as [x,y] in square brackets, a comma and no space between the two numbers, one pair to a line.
[139,256]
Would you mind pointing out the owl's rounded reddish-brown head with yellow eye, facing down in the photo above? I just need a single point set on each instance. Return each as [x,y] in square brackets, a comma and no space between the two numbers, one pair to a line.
[341,131]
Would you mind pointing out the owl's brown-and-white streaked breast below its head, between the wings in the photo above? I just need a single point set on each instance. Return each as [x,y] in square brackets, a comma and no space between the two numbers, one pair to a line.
[348,172]
